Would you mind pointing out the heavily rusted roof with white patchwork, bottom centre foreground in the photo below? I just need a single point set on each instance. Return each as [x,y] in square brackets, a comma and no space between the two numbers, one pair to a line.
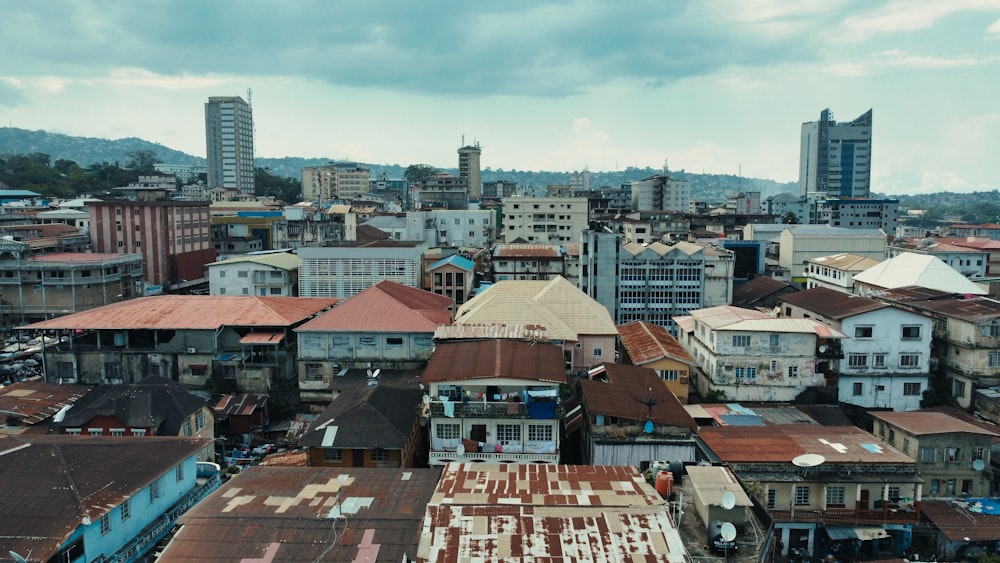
[527,512]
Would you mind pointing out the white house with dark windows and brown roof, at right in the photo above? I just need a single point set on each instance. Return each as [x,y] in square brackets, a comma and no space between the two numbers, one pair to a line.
[885,360]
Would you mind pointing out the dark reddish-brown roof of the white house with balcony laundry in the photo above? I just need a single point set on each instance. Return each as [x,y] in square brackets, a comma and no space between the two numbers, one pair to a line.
[463,360]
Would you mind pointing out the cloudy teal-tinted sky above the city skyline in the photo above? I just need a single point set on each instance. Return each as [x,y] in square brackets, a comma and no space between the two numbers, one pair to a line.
[718,86]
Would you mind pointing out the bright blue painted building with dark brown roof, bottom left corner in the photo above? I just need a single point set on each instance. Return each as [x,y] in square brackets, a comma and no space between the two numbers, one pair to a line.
[76,499]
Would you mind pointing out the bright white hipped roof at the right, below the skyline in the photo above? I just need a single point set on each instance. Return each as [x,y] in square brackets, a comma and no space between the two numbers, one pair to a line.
[924,270]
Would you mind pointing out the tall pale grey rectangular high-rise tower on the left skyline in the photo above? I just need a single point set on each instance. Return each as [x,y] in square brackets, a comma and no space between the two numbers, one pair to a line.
[229,143]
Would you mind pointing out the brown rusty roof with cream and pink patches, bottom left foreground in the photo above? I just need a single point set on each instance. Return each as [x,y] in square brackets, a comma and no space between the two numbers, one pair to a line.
[307,514]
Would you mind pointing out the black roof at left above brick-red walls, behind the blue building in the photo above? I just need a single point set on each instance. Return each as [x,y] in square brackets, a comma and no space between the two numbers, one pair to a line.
[154,402]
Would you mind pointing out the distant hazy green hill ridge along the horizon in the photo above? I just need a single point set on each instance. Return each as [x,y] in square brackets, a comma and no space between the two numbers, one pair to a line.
[90,150]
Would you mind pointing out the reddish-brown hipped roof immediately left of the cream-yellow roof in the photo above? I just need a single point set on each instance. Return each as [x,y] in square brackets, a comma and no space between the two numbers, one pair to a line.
[387,307]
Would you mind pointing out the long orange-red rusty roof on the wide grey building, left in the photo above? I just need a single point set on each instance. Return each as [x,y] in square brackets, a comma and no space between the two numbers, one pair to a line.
[191,312]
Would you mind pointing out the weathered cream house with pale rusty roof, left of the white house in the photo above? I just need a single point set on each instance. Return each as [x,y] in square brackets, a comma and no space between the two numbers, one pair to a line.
[747,355]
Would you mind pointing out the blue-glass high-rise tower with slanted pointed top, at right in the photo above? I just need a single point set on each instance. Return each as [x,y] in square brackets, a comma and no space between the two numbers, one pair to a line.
[835,158]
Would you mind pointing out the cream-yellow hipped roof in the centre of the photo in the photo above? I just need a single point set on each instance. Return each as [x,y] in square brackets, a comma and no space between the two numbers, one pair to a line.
[559,306]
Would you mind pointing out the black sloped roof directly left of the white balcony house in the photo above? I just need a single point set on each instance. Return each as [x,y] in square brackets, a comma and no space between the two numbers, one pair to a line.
[367,417]
